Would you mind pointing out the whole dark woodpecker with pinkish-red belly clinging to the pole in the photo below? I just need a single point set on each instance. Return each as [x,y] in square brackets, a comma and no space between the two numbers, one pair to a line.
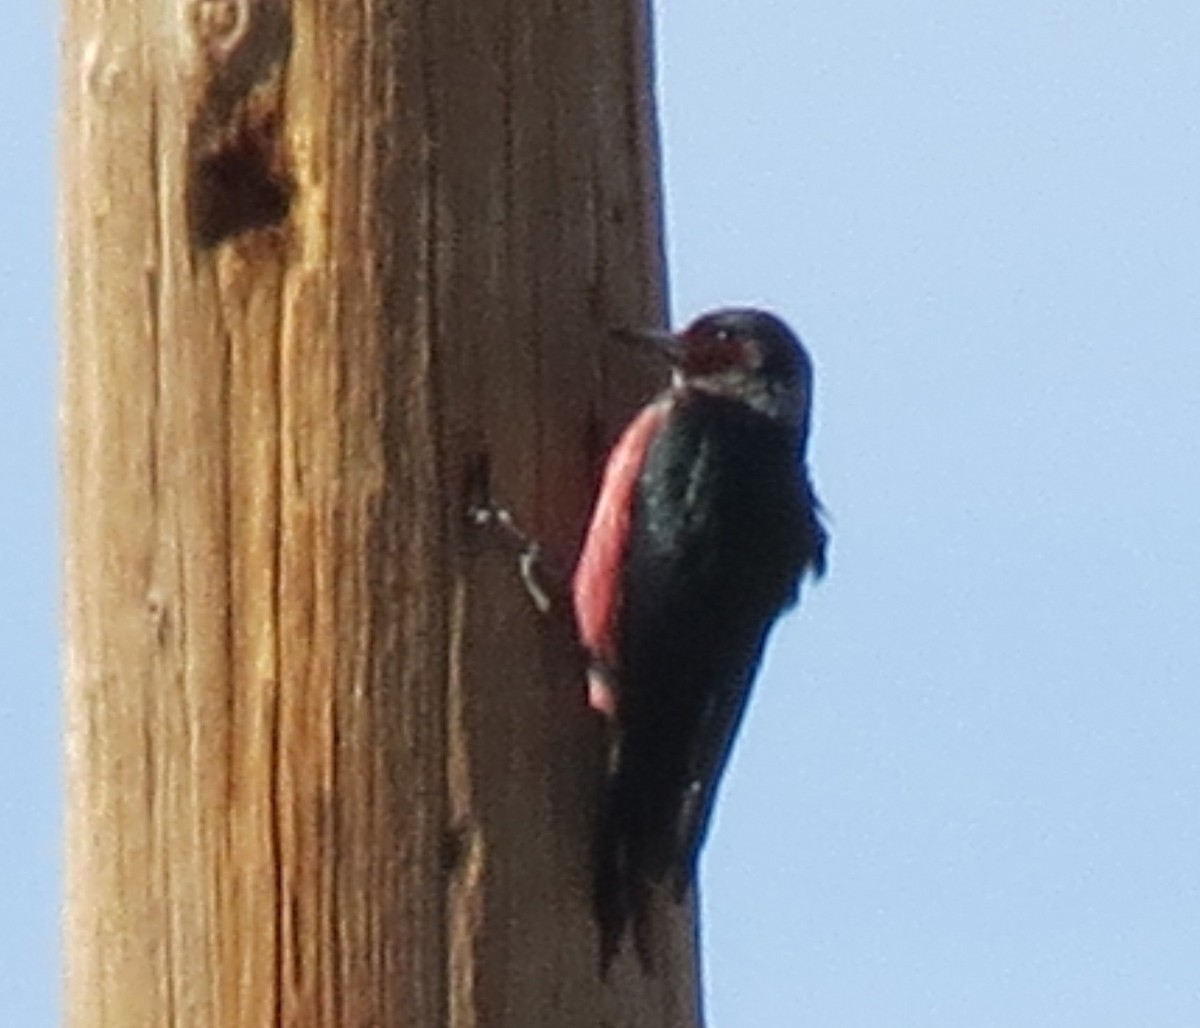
[705,526]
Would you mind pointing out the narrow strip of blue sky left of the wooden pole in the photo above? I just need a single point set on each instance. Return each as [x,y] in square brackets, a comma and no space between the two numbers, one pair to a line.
[31,803]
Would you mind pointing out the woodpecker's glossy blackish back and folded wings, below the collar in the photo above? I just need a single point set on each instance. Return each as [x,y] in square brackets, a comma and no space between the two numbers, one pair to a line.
[724,525]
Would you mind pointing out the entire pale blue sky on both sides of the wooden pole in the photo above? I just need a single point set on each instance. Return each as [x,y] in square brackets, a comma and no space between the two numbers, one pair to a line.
[969,792]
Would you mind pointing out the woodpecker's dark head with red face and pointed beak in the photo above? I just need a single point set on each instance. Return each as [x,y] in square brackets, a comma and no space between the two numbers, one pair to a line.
[745,354]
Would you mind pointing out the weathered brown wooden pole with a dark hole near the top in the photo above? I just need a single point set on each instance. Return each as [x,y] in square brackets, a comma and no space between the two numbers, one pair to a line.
[327,264]
